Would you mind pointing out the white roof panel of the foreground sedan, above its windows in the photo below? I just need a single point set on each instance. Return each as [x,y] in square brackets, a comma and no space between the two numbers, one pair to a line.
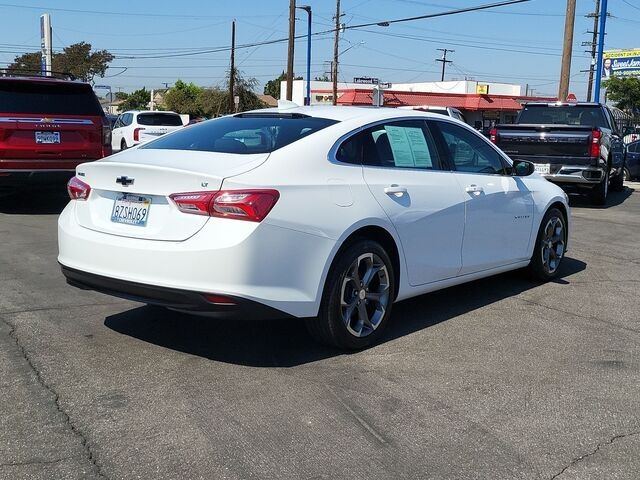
[343,113]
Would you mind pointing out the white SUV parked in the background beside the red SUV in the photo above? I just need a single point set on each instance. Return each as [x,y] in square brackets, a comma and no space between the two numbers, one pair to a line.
[135,127]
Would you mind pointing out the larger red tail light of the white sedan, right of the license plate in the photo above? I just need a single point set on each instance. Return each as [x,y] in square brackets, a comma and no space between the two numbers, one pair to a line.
[250,205]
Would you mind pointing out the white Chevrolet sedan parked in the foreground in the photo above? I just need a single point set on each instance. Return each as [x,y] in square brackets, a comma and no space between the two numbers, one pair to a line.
[324,213]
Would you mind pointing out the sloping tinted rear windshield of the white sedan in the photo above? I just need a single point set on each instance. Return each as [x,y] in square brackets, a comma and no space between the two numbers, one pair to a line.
[243,134]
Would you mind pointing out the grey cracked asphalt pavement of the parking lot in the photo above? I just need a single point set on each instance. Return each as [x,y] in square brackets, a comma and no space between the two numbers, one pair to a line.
[498,379]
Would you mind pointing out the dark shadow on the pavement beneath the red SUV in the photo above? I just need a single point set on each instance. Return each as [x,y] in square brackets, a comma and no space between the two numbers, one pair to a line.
[49,201]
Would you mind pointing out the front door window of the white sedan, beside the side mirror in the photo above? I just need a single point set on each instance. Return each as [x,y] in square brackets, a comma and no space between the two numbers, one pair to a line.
[467,151]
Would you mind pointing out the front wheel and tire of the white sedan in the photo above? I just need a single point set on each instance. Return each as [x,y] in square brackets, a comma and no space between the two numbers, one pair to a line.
[550,246]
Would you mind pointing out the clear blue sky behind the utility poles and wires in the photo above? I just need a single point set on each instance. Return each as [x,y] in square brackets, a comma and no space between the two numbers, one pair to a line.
[520,43]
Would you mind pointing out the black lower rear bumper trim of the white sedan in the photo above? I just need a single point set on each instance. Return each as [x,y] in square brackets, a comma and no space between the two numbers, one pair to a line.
[183,300]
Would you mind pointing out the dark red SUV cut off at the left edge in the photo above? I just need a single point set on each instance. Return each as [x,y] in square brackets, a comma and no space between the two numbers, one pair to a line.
[47,128]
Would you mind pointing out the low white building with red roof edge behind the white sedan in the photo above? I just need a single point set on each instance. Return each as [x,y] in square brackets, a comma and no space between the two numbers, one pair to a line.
[482,103]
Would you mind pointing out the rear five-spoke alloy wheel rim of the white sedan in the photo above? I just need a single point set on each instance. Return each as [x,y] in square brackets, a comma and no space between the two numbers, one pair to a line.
[365,295]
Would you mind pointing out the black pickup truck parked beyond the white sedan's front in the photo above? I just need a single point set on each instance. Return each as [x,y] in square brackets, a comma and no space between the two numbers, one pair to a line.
[576,145]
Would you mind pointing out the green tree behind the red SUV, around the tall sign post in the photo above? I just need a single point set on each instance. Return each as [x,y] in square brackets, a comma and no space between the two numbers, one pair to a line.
[76,60]
